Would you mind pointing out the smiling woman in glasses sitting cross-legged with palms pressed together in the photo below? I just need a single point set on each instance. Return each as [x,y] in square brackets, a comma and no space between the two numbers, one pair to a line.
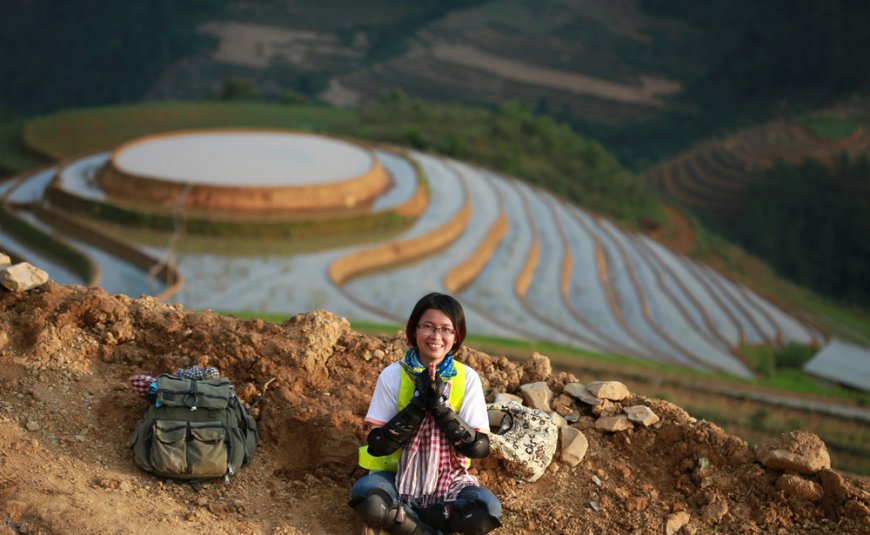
[429,417]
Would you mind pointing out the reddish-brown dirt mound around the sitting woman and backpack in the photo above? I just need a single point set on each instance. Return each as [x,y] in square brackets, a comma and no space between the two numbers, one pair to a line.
[66,412]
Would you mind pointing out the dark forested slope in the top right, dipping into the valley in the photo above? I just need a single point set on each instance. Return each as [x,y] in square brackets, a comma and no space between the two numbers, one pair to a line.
[743,62]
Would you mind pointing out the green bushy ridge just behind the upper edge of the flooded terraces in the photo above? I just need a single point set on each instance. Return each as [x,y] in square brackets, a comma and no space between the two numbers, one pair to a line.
[513,140]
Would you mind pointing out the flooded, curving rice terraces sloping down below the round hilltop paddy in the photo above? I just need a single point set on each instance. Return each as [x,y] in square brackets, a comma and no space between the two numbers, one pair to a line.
[525,263]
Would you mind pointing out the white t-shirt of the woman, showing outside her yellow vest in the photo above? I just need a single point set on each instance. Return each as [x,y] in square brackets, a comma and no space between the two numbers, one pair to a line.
[385,399]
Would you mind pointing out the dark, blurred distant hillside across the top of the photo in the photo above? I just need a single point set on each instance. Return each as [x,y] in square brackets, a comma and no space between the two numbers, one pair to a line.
[646,77]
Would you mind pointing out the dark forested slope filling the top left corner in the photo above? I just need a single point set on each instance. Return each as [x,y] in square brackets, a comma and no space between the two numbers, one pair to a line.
[90,52]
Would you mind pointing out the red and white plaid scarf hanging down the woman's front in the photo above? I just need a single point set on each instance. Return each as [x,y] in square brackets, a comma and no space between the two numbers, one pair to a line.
[431,471]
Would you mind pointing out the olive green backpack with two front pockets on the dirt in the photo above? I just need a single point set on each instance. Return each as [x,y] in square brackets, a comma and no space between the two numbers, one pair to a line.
[196,429]
